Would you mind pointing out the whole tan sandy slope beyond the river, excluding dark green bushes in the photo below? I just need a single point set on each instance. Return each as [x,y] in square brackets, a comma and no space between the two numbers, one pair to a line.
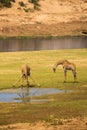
[57,17]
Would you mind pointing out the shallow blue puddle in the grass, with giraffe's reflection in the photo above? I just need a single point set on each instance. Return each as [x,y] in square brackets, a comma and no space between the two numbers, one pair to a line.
[25,94]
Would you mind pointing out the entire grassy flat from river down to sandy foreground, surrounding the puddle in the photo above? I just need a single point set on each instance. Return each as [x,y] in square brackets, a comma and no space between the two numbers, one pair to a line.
[64,105]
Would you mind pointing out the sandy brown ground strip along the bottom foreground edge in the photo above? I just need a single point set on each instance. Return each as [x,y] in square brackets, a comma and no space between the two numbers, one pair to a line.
[67,124]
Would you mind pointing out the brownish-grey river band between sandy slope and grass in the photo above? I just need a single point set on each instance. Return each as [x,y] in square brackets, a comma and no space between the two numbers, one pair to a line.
[32,44]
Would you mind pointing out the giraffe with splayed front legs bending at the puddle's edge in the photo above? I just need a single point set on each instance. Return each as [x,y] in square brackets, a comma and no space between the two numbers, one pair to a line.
[25,73]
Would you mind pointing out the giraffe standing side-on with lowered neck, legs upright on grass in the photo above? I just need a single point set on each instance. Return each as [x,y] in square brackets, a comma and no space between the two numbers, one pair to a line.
[66,66]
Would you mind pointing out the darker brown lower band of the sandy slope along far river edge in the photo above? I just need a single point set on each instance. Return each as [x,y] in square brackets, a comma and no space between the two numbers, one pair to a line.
[41,30]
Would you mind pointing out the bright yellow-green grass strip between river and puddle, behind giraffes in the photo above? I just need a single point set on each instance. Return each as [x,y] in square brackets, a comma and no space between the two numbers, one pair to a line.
[41,63]
